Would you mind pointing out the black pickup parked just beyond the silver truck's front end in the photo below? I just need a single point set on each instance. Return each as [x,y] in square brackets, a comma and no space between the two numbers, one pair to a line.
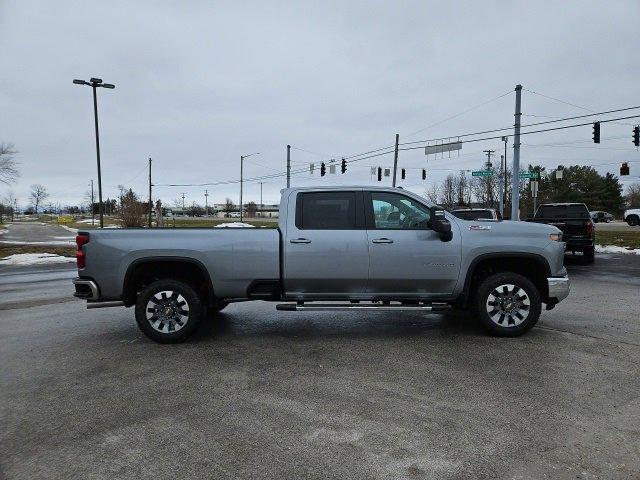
[575,222]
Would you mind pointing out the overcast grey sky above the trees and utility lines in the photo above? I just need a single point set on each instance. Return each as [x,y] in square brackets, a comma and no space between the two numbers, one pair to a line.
[200,83]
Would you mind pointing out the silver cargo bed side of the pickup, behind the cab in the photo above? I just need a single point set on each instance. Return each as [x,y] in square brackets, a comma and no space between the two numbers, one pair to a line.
[234,257]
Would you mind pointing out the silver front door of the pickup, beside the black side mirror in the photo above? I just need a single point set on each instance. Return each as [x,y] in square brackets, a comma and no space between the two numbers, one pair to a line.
[406,257]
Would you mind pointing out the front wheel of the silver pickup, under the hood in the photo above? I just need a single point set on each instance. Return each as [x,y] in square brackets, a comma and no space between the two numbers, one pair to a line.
[507,324]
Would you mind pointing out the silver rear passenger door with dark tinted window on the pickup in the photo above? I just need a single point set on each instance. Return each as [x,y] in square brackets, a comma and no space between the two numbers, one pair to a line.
[325,245]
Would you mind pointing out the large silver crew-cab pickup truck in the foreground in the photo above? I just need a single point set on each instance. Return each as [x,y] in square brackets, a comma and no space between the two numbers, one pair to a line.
[337,248]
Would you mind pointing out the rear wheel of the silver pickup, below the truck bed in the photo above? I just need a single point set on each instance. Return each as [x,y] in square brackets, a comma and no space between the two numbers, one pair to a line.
[176,326]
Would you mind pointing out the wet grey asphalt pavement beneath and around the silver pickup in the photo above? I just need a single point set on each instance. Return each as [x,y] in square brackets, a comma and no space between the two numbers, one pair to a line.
[265,394]
